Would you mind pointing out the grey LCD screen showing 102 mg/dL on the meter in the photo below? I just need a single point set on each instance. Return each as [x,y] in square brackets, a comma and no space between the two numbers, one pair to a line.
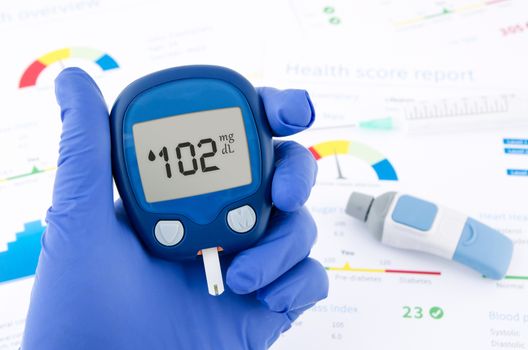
[190,154]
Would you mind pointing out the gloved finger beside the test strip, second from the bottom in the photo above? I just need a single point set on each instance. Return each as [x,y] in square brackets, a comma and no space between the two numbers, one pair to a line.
[289,239]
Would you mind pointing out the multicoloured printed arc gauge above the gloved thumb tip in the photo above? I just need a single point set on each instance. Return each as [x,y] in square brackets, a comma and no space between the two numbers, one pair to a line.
[32,72]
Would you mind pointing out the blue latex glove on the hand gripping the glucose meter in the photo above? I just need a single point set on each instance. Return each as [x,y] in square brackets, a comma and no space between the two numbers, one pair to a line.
[97,288]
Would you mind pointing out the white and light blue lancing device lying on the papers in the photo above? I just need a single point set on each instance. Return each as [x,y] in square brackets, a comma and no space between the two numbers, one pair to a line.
[407,222]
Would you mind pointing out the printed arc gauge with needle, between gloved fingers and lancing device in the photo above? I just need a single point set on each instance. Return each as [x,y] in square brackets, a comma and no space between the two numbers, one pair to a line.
[381,165]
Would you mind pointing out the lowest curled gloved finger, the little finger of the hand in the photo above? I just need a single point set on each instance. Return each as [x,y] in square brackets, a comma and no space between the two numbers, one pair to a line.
[297,290]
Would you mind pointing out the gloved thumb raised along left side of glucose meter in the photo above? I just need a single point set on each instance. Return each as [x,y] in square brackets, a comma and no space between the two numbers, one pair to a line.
[83,185]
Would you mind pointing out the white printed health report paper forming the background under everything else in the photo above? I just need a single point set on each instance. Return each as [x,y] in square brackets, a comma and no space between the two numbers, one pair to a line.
[450,76]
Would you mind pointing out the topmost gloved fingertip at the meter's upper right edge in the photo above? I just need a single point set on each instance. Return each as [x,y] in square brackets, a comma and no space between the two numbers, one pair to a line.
[289,111]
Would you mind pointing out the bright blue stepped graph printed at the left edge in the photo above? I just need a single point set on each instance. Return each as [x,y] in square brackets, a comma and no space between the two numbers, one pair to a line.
[21,258]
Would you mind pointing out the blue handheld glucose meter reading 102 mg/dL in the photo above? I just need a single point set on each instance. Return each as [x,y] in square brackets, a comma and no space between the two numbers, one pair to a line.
[192,98]
